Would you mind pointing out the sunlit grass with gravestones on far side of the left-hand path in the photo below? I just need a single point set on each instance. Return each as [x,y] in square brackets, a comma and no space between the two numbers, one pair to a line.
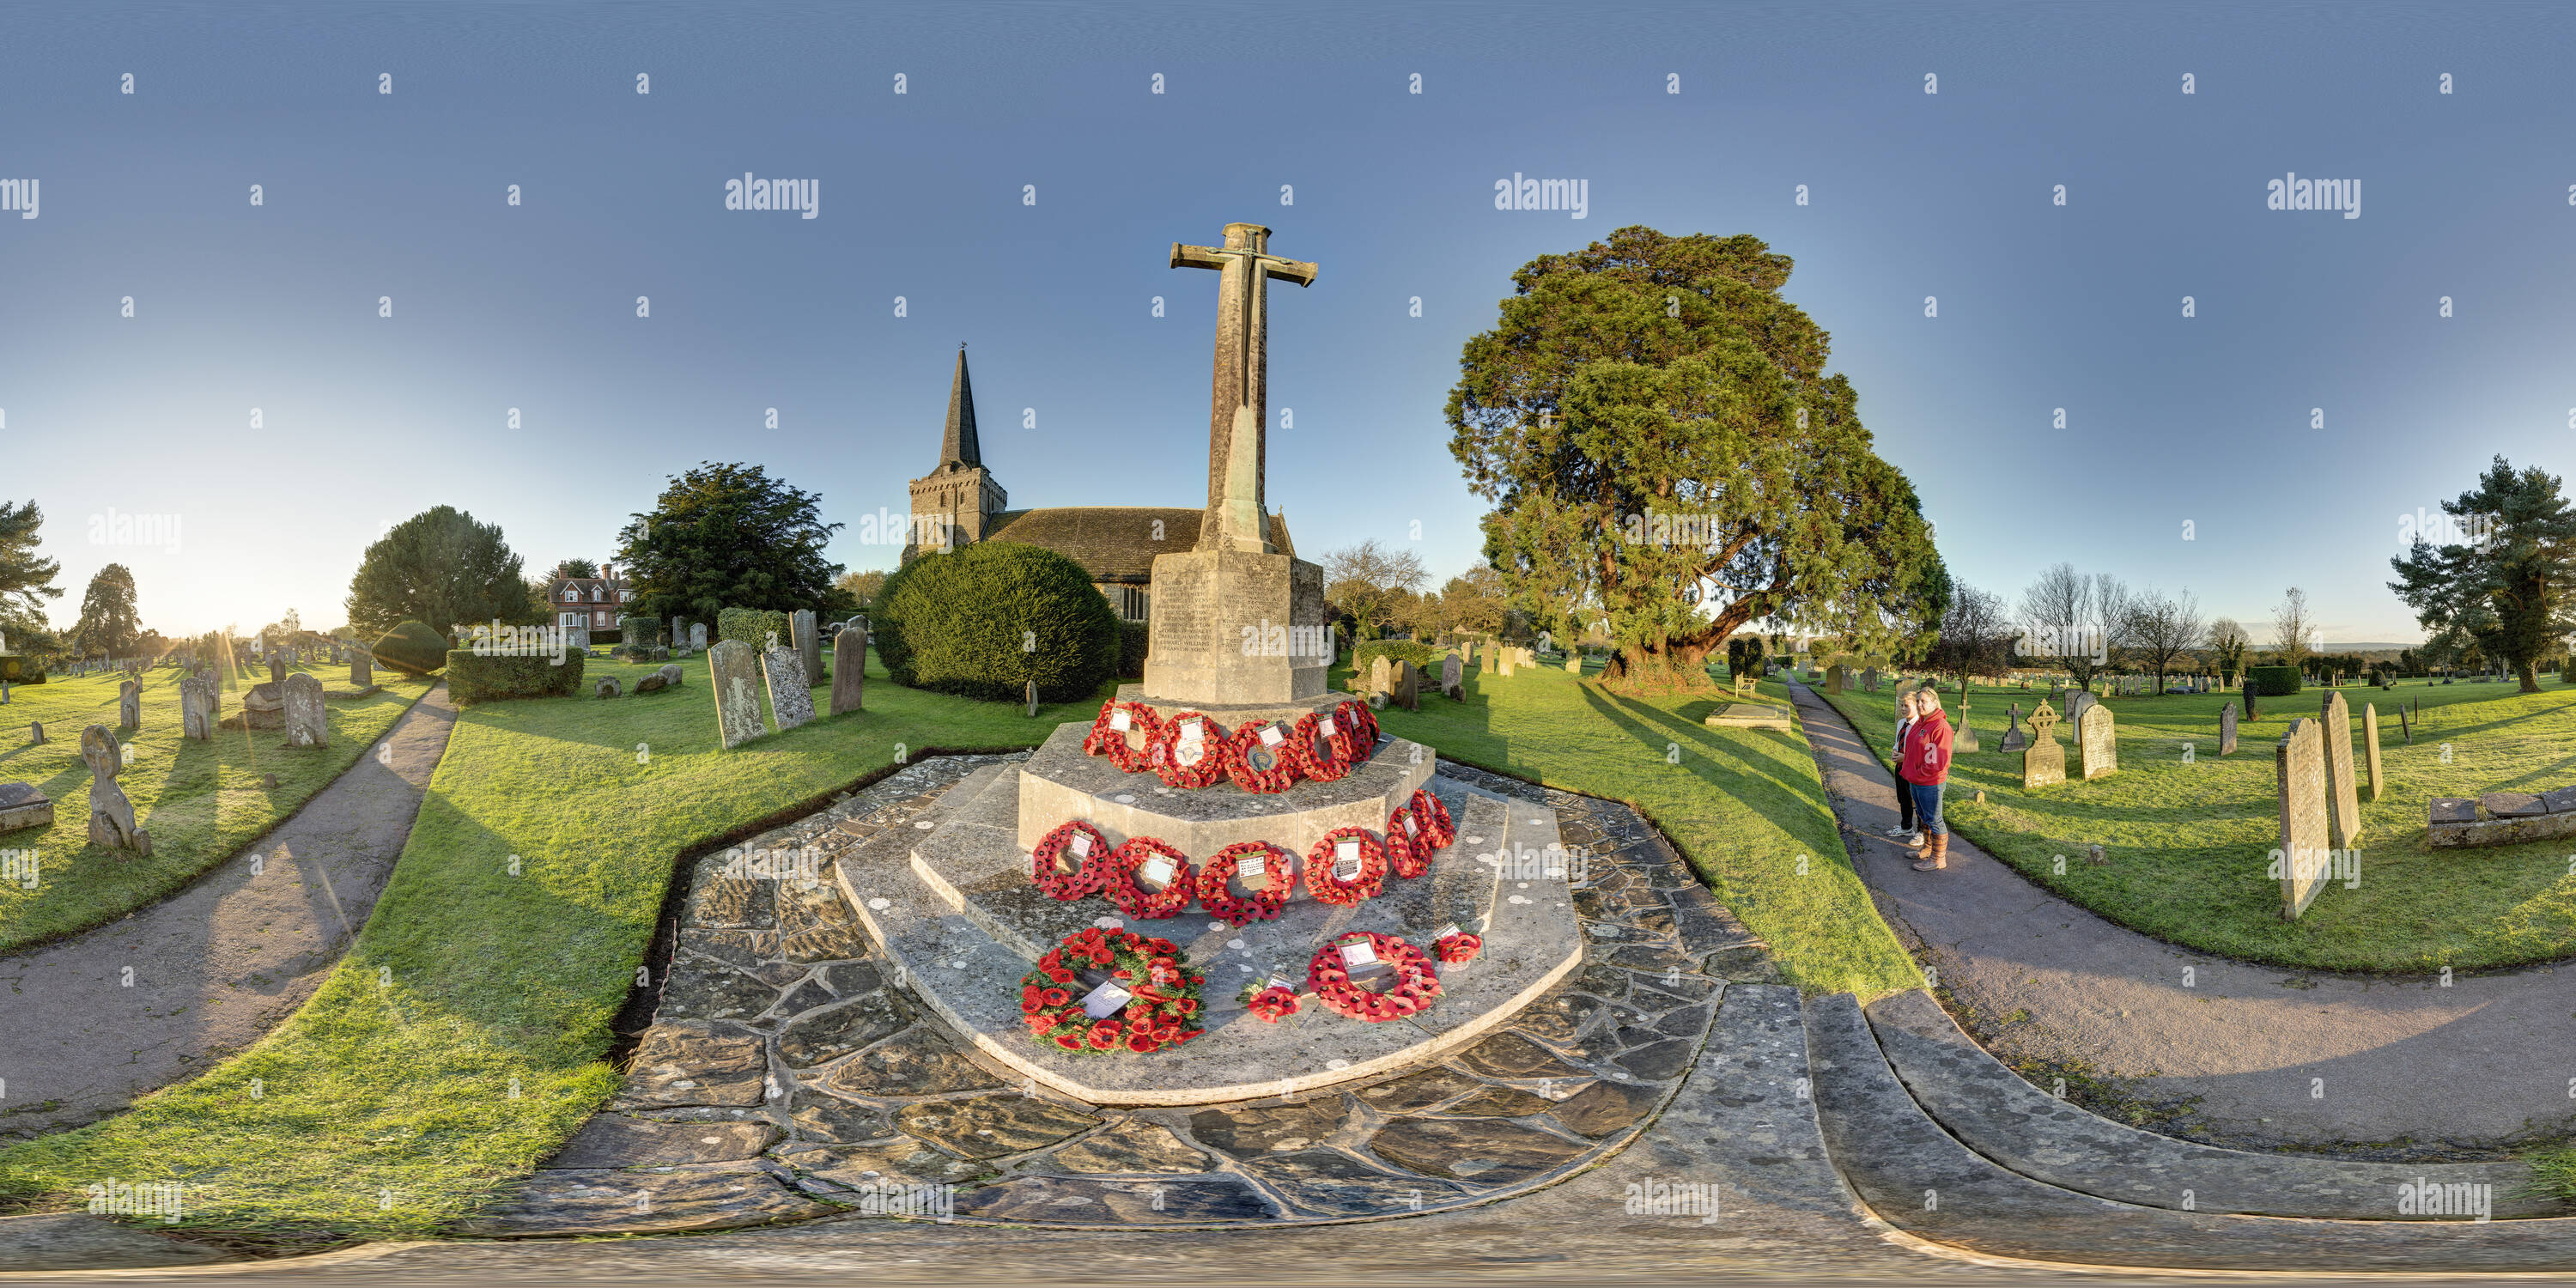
[202,802]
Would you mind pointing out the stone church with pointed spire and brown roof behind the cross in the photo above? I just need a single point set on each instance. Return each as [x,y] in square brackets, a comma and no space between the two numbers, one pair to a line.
[960,504]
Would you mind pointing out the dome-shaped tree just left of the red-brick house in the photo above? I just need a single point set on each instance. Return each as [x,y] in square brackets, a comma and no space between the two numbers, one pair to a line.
[437,568]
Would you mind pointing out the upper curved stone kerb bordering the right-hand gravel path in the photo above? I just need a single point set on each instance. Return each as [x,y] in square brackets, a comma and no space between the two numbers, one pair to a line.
[2031,1132]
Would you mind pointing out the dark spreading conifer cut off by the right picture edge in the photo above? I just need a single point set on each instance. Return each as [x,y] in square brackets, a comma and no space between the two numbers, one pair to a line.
[2505,589]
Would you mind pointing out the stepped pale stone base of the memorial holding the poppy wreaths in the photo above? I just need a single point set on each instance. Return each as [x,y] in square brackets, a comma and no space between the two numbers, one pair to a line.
[962,921]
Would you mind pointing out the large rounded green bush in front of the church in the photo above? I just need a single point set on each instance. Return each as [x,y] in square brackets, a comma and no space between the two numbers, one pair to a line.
[985,620]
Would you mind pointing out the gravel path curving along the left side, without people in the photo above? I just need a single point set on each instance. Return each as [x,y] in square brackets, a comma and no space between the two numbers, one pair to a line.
[218,965]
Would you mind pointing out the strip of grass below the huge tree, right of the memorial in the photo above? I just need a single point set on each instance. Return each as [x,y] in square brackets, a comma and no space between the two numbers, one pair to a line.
[1745,808]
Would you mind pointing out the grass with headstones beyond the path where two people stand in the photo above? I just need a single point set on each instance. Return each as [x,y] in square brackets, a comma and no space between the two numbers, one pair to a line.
[2191,844]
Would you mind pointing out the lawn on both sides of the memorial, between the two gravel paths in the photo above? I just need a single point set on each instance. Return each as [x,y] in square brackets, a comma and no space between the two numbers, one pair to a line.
[388,1101]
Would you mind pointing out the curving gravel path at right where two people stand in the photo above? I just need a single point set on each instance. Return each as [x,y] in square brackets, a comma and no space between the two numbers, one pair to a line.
[2407,1065]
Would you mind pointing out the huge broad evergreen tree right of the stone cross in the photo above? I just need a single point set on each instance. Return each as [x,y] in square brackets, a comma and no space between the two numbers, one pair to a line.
[1665,450]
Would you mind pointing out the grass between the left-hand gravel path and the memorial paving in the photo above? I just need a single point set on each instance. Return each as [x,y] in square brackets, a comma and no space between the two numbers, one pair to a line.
[388,1101]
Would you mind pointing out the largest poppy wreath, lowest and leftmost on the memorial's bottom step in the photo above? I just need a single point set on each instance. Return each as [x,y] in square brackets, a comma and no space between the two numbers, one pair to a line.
[1163,993]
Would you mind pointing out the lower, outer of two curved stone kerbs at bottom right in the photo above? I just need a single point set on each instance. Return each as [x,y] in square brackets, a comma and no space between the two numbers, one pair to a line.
[1926,1184]
